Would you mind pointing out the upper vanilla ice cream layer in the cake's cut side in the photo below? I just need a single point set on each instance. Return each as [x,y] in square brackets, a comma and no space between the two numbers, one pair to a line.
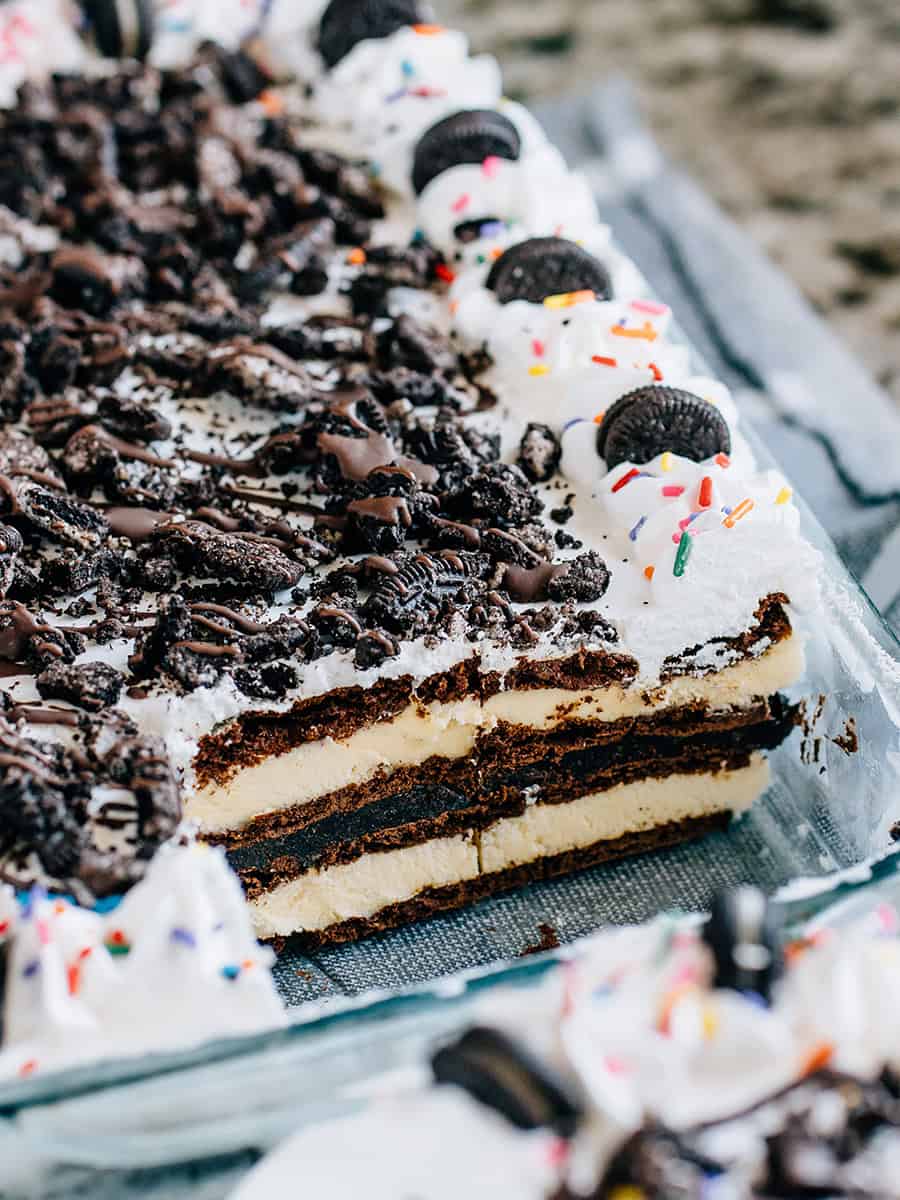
[452,730]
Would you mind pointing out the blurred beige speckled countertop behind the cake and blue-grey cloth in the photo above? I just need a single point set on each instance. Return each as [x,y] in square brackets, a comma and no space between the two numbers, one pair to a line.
[788,112]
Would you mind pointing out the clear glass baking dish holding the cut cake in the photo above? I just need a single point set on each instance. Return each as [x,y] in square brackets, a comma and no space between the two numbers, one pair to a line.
[835,799]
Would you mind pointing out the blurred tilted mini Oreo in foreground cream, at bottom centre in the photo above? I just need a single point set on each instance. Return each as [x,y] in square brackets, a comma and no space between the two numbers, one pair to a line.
[503,1075]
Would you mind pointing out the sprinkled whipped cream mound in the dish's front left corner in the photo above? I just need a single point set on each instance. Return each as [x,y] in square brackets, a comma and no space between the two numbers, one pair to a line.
[173,964]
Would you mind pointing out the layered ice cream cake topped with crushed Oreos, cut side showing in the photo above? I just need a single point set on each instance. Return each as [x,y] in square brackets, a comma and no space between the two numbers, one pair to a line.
[394,513]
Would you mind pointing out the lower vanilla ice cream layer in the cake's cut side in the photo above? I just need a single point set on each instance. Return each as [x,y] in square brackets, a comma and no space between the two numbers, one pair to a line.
[361,890]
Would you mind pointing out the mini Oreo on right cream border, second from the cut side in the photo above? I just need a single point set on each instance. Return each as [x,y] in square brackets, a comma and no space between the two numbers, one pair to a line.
[548,267]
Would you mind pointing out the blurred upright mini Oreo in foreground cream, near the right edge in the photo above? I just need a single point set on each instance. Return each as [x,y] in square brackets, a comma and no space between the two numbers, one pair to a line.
[743,934]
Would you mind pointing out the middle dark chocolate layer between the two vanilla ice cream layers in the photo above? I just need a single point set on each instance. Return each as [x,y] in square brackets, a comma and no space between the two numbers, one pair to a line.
[549,772]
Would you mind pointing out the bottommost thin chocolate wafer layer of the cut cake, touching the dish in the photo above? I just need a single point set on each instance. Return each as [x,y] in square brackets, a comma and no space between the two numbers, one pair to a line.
[434,902]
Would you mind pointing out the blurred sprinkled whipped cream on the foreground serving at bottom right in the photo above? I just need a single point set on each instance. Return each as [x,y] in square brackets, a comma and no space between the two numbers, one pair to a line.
[637,1027]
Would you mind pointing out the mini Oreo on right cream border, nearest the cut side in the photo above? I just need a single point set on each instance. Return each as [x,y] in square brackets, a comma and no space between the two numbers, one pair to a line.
[651,421]
